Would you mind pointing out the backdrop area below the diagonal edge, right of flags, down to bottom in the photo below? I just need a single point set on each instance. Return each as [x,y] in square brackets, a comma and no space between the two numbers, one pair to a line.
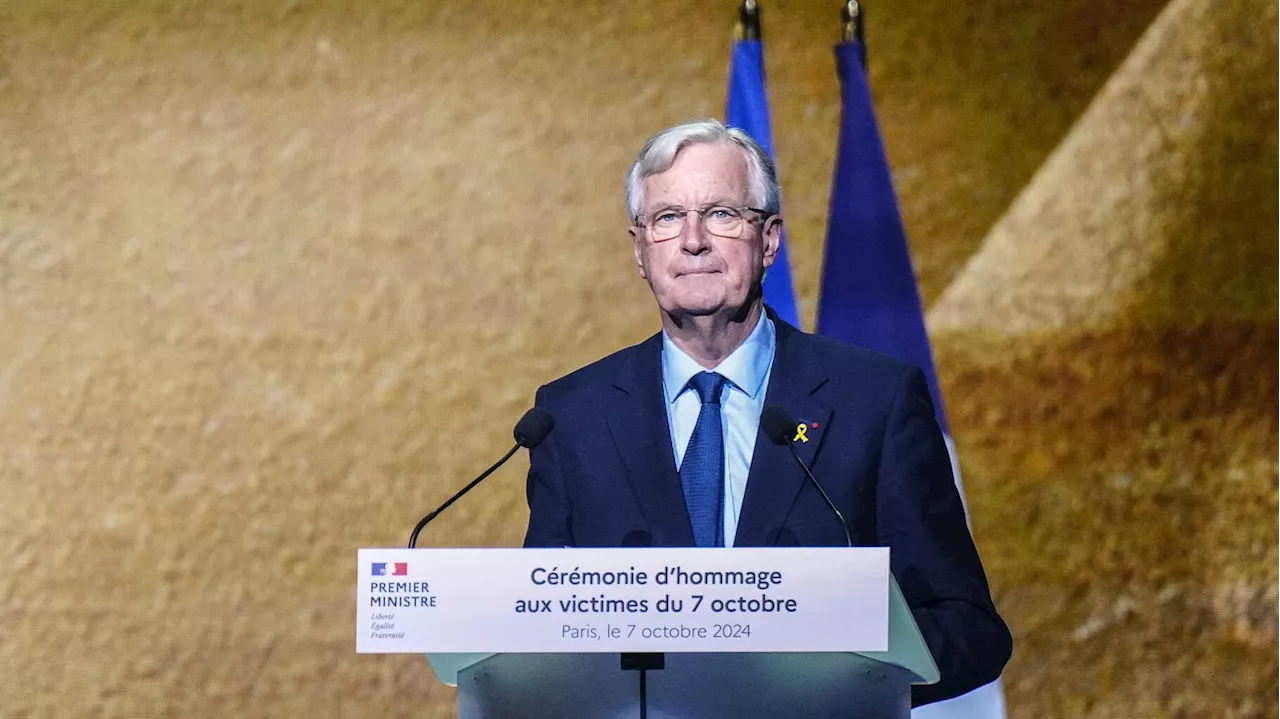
[1124,312]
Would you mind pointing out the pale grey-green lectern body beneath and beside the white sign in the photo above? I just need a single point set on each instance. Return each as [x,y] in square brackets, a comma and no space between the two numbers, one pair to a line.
[705,686]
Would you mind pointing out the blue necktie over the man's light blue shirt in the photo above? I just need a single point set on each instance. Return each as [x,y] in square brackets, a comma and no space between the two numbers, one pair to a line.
[702,473]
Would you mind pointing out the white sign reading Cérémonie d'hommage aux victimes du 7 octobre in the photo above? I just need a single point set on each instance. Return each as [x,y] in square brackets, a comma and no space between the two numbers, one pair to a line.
[615,601]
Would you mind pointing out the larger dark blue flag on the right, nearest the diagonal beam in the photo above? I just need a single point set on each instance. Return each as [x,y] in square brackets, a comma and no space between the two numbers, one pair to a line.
[870,295]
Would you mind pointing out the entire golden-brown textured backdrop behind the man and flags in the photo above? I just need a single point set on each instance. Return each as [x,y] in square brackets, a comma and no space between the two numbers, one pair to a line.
[276,278]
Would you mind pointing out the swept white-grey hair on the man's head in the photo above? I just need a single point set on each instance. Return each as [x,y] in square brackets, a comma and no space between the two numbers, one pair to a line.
[661,152]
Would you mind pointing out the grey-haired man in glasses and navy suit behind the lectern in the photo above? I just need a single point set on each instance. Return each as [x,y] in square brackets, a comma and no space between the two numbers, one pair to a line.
[660,445]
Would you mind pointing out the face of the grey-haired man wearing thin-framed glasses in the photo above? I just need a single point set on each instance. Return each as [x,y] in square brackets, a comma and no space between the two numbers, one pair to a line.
[700,273]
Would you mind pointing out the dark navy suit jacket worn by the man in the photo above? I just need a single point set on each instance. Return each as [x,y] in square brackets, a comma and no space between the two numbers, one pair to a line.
[607,477]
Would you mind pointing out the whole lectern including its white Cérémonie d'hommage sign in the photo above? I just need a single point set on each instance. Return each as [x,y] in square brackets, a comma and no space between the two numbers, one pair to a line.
[694,680]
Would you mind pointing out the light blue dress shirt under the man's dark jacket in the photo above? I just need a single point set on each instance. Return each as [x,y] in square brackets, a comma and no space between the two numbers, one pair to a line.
[742,402]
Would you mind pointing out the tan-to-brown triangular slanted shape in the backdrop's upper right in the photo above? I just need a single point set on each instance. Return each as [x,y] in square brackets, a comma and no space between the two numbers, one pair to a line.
[1160,204]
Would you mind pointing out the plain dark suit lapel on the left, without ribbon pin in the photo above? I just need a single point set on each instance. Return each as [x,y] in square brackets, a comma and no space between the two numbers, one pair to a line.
[638,423]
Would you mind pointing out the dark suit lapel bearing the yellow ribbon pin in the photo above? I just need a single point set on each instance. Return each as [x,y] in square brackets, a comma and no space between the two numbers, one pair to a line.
[775,479]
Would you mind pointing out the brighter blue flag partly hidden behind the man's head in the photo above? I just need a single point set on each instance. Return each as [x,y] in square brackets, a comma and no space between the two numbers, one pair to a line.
[748,108]
